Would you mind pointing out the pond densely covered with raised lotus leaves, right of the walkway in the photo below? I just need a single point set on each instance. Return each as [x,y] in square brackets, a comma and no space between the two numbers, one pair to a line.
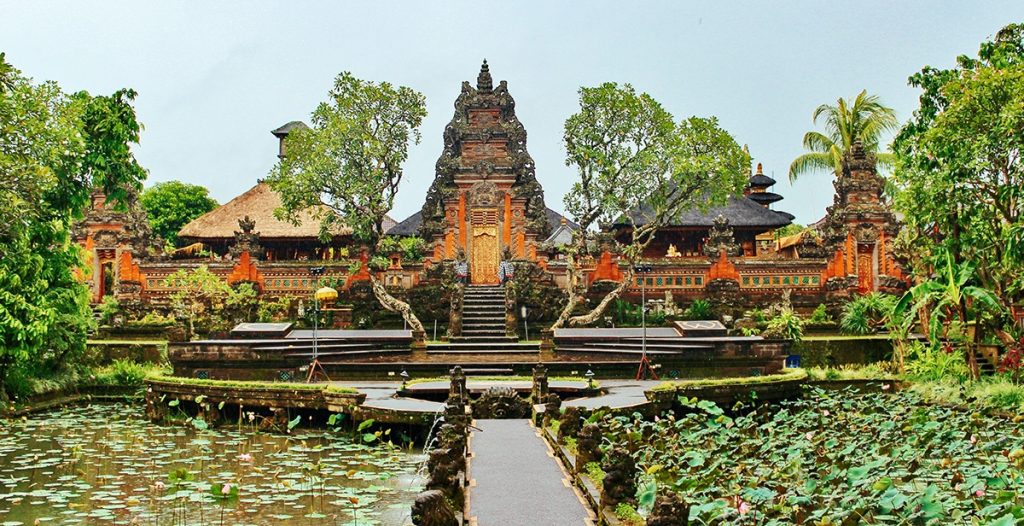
[833,458]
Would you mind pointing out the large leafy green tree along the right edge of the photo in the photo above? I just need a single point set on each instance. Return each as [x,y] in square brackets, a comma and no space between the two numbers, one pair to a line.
[959,178]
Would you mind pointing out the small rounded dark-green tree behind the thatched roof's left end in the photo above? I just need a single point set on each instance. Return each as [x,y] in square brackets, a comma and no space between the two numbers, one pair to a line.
[172,205]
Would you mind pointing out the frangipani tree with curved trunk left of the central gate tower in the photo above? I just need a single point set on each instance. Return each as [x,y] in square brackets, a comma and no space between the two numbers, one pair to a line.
[350,163]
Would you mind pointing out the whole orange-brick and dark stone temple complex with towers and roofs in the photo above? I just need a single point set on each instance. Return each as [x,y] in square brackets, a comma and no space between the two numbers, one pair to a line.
[487,205]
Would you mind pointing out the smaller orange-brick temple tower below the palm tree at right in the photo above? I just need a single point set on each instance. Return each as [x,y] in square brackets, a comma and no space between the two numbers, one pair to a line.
[860,230]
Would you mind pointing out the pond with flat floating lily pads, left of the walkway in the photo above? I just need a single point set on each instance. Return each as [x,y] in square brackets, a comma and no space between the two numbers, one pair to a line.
[107,464]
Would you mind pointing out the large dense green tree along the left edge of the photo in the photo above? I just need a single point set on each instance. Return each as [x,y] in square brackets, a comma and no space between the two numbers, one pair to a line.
[55,150]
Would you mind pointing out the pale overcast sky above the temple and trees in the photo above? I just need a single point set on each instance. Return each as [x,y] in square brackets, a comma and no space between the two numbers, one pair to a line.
[215,78]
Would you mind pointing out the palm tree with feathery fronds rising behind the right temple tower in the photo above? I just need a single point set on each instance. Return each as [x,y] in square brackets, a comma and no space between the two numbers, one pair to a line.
[866,121]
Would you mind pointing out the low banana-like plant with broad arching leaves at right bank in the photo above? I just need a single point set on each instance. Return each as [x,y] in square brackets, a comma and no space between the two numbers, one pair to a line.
[954,303]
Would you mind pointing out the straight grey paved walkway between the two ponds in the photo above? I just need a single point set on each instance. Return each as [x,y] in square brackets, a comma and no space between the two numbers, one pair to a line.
[517,481]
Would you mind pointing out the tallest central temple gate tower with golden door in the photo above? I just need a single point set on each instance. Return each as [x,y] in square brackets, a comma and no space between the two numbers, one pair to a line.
[486,197]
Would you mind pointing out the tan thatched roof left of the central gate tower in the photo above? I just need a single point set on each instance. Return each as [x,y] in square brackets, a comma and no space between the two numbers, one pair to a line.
[259,203]
